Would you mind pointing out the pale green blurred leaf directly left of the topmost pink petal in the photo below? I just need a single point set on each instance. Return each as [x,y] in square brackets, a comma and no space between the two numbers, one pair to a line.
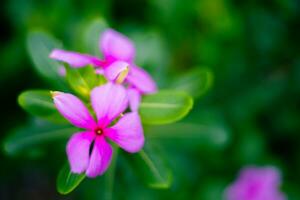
[92,35]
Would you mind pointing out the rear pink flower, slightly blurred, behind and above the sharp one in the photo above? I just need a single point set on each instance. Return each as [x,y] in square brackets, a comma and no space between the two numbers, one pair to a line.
[119,54]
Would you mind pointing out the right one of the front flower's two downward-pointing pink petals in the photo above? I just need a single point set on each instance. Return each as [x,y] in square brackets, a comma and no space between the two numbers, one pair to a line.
[100,158]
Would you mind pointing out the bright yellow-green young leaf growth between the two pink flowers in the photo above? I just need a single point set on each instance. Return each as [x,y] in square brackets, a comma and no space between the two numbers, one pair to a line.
[82,80]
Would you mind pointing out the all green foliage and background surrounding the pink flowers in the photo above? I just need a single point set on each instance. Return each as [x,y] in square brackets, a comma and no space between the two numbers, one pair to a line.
[238,60]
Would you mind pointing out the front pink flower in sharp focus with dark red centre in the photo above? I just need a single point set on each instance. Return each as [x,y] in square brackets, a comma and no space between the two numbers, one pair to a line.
[88,151]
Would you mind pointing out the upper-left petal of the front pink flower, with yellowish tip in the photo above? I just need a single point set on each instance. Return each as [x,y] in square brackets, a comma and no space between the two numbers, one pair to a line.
[73,110]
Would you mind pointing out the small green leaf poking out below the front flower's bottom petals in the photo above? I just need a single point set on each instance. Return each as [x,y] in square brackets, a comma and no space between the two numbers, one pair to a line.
[67,181]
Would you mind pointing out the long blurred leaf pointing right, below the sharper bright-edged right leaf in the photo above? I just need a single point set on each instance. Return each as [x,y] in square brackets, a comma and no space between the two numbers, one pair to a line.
[203,130]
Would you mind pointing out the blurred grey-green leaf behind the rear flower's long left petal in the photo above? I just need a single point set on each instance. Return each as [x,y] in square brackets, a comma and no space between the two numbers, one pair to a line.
[40,45]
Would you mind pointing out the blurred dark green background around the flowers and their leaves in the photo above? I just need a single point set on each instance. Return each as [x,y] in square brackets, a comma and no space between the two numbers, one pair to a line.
[252,107]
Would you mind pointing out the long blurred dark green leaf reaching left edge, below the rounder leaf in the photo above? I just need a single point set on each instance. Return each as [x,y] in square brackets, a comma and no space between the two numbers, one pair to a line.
[28,137]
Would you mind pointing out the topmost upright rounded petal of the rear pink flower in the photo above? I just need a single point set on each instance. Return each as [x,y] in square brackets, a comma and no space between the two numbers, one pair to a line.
[116,46]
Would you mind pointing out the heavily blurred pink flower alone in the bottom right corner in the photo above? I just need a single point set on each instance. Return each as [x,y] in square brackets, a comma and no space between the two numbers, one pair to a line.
[256,183]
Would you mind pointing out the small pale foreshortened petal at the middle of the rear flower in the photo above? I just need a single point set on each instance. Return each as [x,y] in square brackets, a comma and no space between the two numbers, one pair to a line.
[112,71]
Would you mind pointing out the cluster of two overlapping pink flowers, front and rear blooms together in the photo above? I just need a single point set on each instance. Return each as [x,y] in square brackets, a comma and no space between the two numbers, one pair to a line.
[88,150]
